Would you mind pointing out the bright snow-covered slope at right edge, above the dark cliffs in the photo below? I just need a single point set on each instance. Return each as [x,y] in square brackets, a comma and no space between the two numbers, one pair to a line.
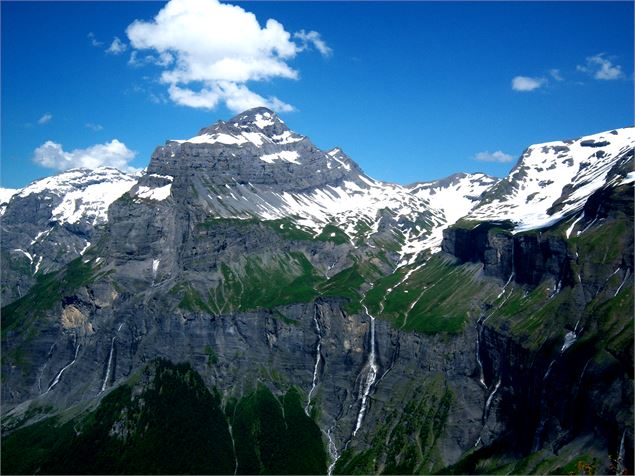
[554,179]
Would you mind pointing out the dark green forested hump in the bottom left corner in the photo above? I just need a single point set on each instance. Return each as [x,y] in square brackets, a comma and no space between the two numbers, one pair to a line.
[173,426]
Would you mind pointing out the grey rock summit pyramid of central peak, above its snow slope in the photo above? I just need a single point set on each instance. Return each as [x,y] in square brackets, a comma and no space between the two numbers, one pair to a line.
[254,147]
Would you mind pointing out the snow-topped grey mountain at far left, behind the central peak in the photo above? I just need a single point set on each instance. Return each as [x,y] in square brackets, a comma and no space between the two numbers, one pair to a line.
[52,221]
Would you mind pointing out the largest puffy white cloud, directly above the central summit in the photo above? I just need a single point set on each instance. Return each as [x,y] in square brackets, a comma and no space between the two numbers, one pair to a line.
[210,50]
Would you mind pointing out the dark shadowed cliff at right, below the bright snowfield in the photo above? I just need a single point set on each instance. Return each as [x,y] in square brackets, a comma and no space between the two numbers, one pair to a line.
[557,389]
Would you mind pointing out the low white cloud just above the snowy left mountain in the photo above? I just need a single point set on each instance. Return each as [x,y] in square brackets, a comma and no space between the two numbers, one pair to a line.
[112,154]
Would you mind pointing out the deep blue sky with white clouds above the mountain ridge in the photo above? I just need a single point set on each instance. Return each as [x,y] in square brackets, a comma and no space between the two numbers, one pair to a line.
[411,91]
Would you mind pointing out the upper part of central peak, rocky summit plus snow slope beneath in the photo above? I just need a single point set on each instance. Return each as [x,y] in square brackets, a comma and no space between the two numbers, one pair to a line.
[253,166]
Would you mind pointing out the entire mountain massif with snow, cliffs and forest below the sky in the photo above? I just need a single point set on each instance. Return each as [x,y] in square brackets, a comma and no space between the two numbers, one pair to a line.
[252,304]
